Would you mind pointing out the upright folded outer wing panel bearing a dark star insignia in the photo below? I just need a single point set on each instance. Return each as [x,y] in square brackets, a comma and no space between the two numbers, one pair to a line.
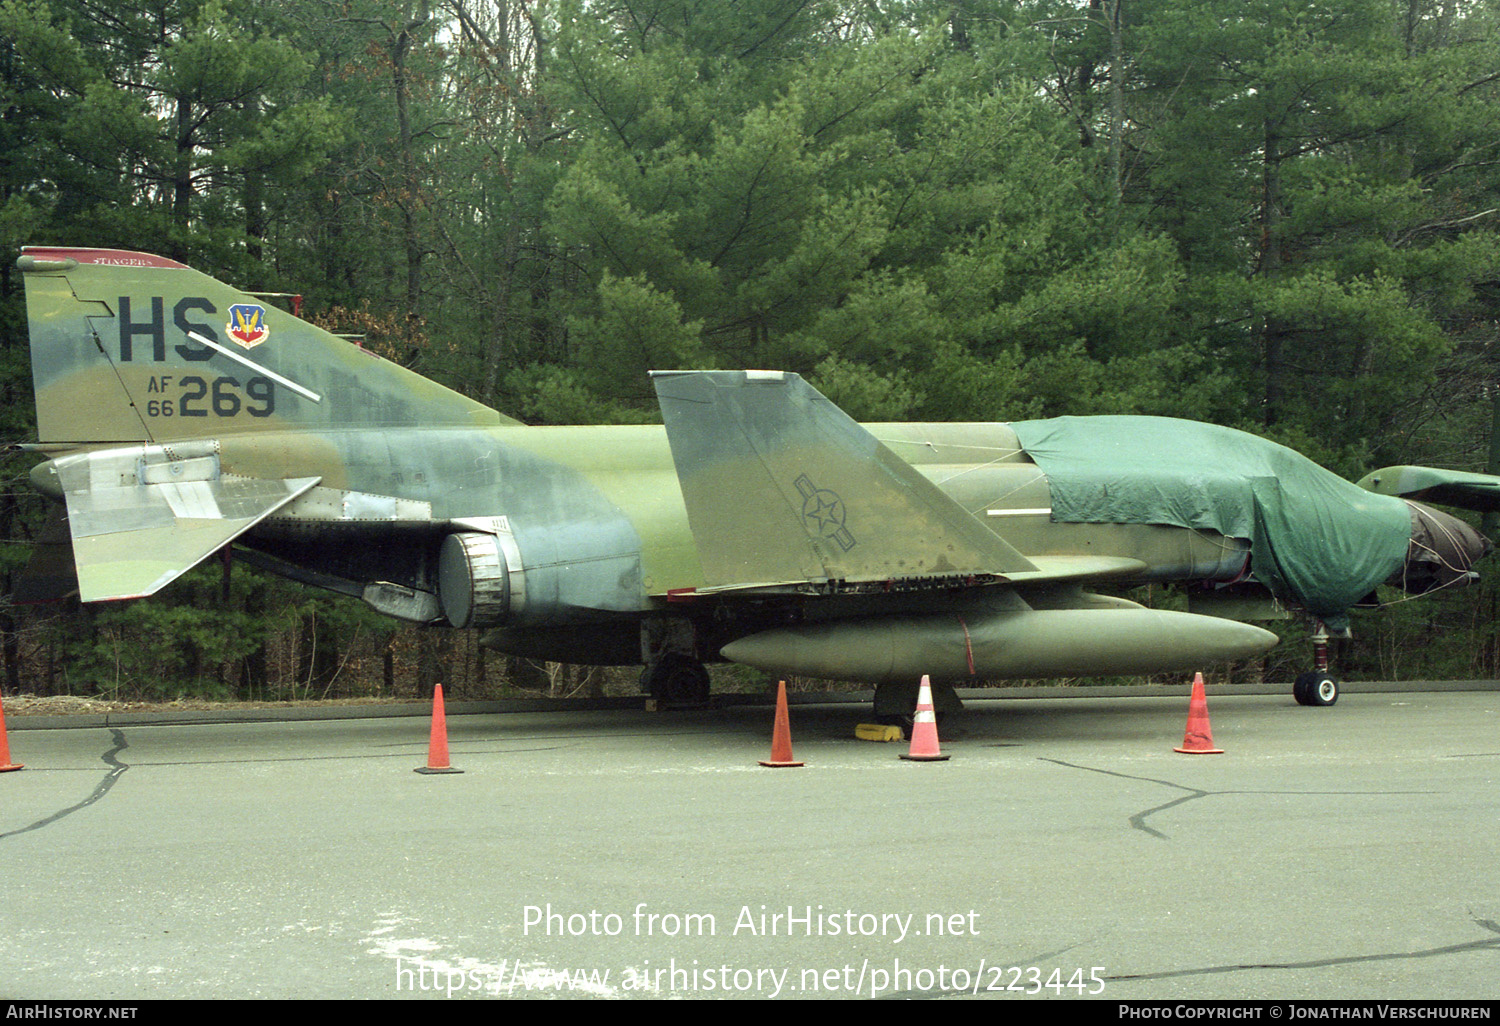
[784,487]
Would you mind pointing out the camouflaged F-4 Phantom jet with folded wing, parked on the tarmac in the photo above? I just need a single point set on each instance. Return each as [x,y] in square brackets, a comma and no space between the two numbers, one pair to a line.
[758,526]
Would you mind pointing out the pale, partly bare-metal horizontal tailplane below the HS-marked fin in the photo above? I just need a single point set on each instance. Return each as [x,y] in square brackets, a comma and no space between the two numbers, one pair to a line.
[142,517]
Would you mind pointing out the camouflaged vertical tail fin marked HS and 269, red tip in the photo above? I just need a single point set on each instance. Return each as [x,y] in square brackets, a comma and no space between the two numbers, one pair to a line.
[131,347]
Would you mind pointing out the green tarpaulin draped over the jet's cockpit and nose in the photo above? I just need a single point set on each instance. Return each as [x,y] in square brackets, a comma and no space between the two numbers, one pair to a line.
[1315,538]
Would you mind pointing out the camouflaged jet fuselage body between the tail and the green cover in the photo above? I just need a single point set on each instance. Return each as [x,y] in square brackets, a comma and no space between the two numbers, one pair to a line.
[602,536]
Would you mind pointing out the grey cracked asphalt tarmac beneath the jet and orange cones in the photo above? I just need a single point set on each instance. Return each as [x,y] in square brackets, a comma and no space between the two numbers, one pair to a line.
[1064,851]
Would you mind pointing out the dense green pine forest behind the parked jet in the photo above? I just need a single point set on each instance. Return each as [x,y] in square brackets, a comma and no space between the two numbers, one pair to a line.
[1277,215]
